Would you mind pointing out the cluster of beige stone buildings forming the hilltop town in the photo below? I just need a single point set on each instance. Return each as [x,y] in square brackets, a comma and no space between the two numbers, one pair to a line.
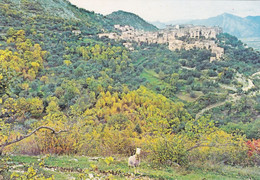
[176,37]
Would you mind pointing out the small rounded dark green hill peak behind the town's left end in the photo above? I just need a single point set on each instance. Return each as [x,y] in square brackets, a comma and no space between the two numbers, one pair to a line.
[127,18]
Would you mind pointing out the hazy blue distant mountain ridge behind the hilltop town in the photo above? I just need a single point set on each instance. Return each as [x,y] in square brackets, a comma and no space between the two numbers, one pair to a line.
[235,25]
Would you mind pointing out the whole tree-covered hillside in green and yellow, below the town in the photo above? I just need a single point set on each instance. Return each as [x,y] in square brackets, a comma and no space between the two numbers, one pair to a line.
[90,101]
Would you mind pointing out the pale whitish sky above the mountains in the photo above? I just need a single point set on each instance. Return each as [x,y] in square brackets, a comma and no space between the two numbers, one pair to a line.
[169,10]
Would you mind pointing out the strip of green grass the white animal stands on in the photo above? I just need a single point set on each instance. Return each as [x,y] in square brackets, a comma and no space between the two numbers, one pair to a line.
[81,167]
